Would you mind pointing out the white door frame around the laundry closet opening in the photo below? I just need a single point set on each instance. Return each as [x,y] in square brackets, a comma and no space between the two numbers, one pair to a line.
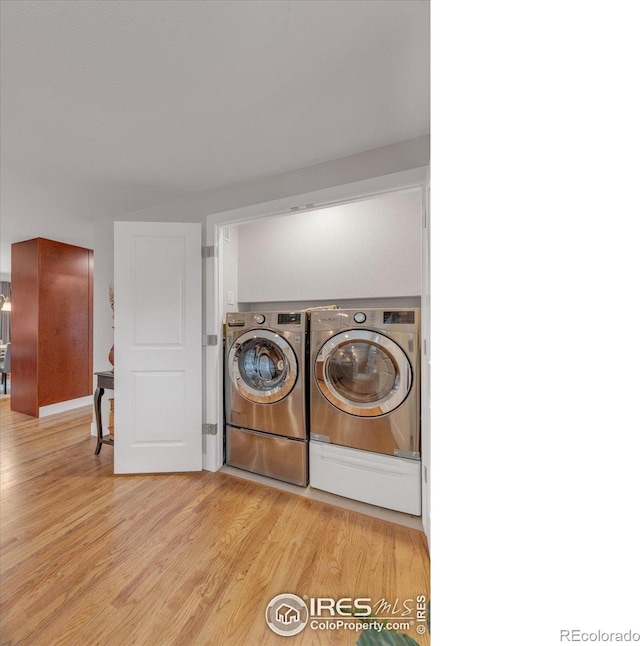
[319,199]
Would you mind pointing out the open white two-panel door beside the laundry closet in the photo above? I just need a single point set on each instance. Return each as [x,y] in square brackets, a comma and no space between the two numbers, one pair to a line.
[158,347]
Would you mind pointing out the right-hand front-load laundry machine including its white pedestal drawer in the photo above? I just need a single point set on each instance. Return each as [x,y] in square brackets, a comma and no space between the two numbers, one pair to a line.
[365,405]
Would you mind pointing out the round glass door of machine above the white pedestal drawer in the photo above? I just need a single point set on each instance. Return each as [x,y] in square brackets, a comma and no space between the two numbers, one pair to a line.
[363,373]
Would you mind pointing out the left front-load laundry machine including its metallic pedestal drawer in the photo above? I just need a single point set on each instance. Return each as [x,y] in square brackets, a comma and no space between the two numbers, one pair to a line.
[265,394]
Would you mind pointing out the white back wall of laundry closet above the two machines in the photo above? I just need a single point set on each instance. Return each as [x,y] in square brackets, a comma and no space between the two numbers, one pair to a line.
[366,249]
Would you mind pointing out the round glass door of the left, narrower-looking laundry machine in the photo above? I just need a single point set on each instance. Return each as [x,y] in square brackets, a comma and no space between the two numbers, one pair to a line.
[262,366]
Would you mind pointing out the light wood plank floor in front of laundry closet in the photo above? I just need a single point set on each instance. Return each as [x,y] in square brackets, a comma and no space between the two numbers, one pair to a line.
[90,558]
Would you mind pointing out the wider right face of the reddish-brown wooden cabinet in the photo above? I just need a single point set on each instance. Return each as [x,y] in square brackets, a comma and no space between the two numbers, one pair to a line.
[66,322]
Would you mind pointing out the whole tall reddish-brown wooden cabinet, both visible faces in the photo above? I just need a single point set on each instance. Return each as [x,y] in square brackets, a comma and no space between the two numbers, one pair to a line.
[52,324]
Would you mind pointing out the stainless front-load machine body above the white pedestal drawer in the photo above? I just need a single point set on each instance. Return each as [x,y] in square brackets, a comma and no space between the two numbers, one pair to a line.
[365,388]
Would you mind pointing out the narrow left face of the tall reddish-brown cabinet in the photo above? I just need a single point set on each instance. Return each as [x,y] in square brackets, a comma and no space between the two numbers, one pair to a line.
[24,327]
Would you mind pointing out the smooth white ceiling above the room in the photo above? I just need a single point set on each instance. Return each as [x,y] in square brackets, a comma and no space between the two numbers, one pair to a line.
[109,107]
